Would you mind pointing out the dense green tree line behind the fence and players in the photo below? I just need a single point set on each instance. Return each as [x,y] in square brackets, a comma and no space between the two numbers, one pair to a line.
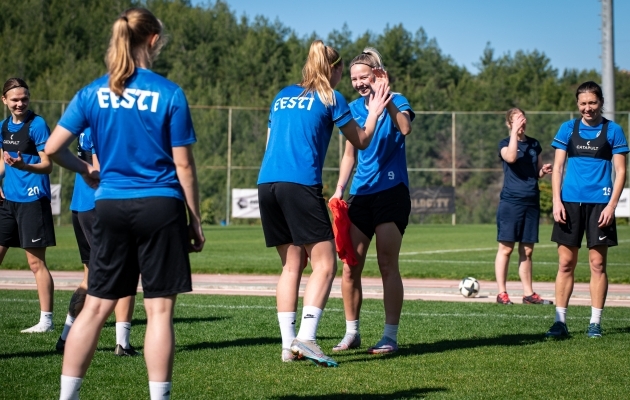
[221,59]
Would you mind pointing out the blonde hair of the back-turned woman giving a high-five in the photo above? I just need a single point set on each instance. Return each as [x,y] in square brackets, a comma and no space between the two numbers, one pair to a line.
[318,69]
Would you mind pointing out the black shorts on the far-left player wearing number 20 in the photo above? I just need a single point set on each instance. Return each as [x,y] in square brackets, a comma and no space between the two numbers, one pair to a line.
[26,225]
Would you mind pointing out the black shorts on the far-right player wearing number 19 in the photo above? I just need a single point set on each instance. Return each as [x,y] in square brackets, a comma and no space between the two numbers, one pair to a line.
[582,217]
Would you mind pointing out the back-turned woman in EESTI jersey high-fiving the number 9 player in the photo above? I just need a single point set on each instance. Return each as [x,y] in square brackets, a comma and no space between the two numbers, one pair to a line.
[293,211]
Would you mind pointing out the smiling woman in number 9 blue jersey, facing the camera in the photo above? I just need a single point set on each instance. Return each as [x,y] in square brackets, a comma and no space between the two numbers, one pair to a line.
[379,203]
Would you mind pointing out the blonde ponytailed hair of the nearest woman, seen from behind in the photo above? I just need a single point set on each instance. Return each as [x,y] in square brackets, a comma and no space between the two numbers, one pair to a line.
[128,45]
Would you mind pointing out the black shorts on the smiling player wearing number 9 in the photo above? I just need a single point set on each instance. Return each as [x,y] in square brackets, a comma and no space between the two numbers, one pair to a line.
[371,210]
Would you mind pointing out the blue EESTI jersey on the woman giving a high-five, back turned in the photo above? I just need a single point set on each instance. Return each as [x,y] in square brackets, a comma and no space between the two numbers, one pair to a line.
[300,129]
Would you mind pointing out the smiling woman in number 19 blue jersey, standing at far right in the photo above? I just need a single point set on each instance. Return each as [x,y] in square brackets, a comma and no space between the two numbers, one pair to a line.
[584,200]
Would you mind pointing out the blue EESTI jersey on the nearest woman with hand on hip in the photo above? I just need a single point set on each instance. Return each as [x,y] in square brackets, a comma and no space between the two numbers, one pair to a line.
[133,135]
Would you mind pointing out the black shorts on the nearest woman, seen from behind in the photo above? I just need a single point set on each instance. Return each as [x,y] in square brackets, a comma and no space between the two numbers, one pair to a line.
[146,236]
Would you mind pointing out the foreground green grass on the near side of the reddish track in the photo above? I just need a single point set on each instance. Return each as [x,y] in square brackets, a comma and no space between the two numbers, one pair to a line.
[229,348]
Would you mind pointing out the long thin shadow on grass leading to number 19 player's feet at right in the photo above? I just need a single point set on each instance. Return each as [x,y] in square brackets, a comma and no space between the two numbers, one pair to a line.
[449,345]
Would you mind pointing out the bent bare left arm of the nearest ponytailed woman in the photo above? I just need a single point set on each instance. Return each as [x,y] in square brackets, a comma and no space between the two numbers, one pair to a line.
[57,150]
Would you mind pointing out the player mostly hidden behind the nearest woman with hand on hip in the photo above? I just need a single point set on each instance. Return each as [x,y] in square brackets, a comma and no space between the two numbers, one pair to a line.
[83,215]
